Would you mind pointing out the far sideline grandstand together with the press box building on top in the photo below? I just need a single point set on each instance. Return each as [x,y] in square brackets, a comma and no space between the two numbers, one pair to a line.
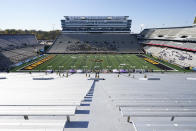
[96,34]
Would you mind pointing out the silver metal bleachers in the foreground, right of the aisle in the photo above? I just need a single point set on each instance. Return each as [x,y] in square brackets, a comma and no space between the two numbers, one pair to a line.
[165,105]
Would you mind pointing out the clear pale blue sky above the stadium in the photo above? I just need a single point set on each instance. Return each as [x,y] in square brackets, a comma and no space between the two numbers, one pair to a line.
[46,14]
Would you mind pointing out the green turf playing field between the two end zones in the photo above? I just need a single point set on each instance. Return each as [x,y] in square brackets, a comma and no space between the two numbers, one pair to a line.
[95,61]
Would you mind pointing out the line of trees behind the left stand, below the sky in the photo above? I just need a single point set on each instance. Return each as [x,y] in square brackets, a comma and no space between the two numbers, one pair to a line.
[41,35]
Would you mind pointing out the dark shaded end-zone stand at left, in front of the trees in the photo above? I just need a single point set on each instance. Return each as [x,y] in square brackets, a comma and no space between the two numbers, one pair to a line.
[16,48]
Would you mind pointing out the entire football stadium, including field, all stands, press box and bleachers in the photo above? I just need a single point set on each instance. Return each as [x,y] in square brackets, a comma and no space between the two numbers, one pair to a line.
[98,76]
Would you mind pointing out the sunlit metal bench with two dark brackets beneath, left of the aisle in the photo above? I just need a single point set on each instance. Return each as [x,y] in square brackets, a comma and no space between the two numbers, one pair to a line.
[38,111]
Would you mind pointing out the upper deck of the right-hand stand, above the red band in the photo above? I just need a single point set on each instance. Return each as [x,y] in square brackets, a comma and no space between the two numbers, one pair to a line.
[180,38]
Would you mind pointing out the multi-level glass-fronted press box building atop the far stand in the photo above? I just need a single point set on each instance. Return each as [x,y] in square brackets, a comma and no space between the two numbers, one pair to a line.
[96,24]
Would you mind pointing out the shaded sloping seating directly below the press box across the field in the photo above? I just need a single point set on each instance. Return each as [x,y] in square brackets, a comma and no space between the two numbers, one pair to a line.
[95,42]
